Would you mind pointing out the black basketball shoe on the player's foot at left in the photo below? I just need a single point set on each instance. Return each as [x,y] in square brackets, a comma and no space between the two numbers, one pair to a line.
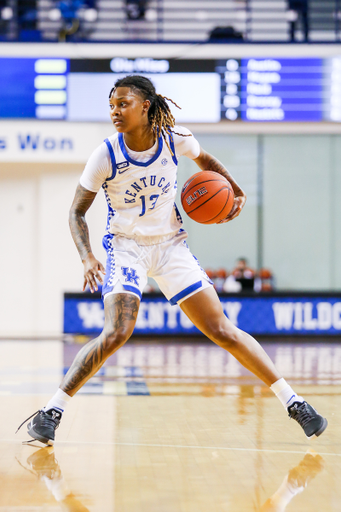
[42,427]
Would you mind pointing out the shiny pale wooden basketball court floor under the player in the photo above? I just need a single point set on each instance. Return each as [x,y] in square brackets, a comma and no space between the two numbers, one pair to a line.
[170,427]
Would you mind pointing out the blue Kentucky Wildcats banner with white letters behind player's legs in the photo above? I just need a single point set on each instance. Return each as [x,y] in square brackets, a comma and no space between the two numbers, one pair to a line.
[257,314]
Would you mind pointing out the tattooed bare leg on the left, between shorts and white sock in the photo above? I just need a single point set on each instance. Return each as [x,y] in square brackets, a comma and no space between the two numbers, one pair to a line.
[120,317]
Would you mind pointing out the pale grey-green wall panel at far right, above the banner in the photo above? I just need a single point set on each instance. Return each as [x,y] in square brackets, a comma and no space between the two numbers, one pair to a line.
[297,210]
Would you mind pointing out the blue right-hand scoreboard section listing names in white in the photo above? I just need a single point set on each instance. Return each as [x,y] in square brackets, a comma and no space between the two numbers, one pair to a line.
[281,89]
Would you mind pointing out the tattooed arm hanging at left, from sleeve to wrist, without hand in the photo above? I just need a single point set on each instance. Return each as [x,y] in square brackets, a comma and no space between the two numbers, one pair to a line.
[79,229]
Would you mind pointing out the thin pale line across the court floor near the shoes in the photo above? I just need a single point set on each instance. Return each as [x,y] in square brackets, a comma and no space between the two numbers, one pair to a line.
[152,445]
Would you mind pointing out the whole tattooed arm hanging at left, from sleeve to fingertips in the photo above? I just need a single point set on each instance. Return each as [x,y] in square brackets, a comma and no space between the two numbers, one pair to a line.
[80,233]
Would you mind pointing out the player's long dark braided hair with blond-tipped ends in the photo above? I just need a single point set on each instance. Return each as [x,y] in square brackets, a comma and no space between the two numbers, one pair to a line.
[159,114]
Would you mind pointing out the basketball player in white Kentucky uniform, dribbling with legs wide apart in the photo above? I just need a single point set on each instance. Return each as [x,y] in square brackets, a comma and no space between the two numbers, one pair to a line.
[136,167]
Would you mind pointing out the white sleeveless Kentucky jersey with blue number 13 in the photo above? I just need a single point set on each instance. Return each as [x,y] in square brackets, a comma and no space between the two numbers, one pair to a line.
[141,195]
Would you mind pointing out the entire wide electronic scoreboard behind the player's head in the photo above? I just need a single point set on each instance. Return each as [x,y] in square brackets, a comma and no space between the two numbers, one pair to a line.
[208,91]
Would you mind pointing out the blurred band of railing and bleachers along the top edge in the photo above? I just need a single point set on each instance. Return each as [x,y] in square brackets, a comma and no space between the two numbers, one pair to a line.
[172,21]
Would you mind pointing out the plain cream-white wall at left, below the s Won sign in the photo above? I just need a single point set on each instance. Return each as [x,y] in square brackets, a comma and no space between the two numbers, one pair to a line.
[37,254]
